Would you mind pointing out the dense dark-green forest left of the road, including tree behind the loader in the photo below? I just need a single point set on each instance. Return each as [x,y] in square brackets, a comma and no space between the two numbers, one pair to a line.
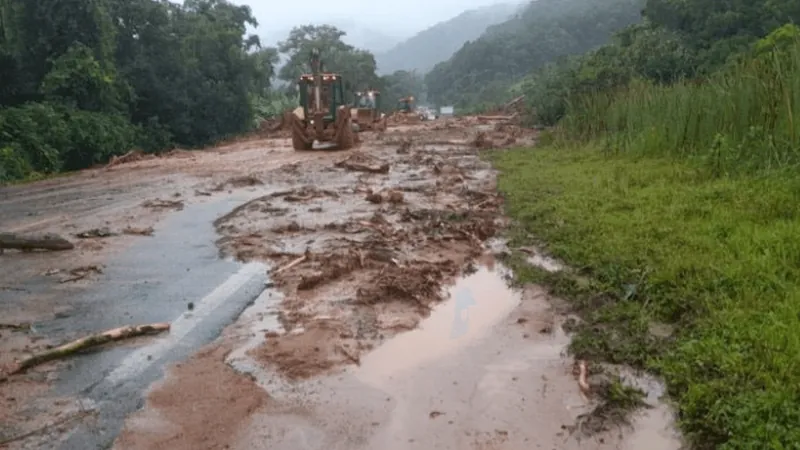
[81,81]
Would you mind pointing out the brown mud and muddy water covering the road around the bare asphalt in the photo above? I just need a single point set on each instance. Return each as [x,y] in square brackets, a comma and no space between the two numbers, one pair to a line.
[388,324]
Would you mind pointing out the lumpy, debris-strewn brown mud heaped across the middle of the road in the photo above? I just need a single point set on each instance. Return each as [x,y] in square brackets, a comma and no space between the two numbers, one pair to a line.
[384,227]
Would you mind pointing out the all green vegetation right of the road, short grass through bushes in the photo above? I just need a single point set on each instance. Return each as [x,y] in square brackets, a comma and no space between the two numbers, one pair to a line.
[673,196]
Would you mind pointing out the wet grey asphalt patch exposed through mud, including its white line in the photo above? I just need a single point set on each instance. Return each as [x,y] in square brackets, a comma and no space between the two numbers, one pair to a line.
[154,281]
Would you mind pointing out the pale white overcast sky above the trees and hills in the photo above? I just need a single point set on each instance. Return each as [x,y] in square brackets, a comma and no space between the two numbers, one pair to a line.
[399,18]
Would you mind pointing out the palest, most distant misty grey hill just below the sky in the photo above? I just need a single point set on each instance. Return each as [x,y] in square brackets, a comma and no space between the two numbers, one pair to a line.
[435,44]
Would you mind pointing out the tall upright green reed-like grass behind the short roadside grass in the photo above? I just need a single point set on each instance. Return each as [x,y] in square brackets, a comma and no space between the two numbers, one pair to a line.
[743,119]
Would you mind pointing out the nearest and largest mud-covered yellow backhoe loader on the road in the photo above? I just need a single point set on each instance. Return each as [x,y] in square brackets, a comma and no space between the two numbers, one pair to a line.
[323,114]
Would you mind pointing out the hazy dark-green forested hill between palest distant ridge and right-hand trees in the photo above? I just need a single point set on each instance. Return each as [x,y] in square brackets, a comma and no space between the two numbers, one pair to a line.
[544,31]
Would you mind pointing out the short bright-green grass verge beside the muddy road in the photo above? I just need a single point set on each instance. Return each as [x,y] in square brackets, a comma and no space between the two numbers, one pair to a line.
[655,241]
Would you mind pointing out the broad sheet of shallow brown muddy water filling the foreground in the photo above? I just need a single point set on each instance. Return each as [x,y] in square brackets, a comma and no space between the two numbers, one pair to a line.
[486,370]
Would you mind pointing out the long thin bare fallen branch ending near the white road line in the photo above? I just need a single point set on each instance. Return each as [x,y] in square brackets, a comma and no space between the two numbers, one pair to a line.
[116,334]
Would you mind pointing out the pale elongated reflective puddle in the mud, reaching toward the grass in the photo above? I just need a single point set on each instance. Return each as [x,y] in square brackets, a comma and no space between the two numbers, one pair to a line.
[475,304]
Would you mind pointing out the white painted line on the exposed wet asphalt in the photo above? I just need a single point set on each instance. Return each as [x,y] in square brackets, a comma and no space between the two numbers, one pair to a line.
[144,357]
